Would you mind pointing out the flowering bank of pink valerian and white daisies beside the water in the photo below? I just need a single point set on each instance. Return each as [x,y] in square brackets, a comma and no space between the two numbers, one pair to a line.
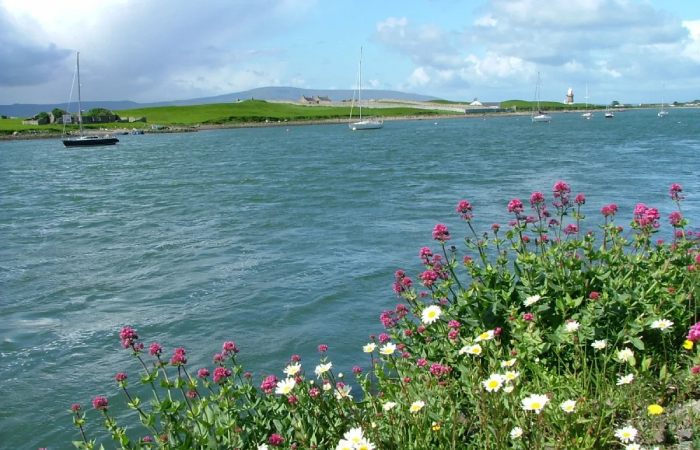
[534,337]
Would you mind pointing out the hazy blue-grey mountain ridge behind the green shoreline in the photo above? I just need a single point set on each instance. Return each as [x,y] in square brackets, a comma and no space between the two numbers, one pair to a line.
[265,93]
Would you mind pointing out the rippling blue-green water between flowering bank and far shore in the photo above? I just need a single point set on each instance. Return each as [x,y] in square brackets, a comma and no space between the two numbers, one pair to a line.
[277,238]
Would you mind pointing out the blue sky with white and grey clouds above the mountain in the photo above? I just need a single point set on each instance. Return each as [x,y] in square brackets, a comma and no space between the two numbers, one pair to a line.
[631,51]
